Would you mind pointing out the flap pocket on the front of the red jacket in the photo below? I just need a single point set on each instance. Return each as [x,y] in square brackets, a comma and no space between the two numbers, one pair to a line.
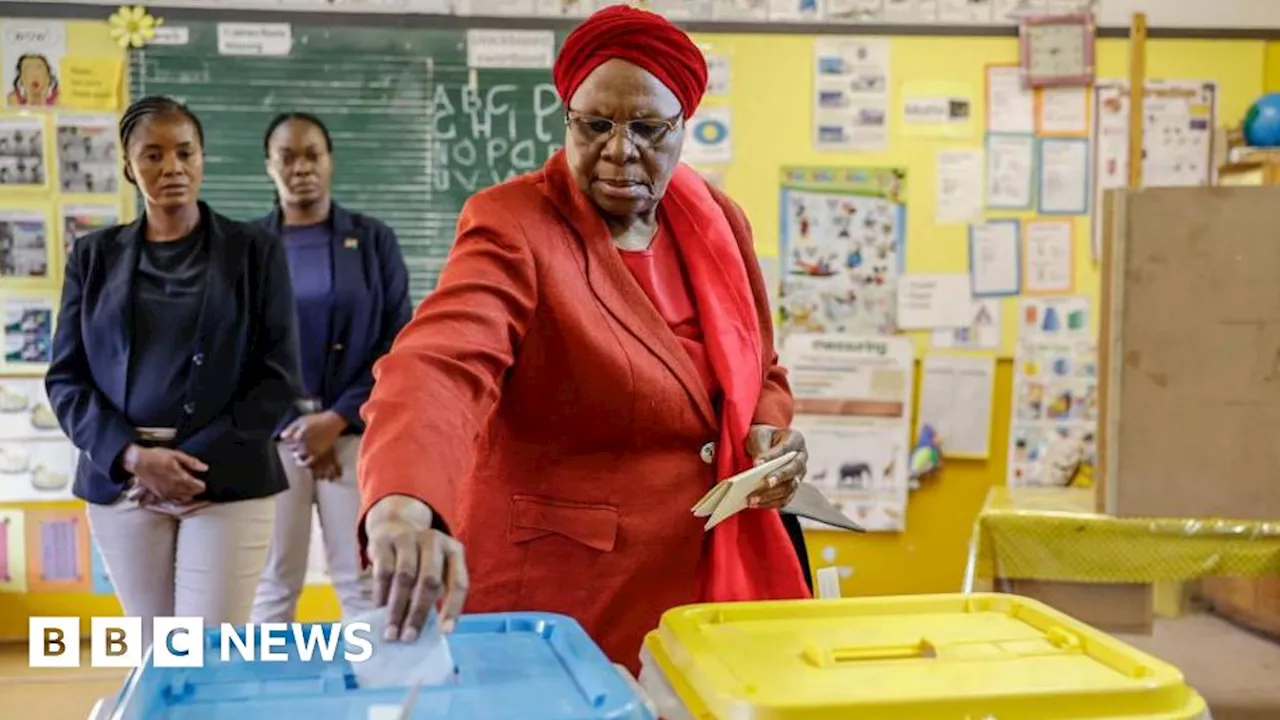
[591,525]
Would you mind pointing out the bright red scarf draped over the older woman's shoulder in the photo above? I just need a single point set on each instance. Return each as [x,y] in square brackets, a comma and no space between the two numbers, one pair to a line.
[749,557]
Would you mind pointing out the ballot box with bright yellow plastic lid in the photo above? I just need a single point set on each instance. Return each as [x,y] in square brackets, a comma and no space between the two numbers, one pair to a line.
[921,658]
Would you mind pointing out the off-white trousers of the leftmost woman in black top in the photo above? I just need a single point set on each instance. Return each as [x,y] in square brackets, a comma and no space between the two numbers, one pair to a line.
[204,564]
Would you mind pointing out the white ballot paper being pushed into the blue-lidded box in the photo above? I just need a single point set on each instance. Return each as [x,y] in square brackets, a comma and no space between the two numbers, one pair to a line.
[426,662]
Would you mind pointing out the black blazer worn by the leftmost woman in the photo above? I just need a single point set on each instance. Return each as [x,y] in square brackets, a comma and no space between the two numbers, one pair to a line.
[245,359]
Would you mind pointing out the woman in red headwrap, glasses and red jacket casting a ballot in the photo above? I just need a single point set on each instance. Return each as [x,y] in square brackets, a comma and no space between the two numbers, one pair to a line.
[598,353]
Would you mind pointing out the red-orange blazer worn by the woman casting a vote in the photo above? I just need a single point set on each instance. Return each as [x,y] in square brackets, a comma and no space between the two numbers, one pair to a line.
[546,412]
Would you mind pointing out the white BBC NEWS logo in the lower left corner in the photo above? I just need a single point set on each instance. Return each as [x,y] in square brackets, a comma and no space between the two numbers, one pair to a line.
[181,642]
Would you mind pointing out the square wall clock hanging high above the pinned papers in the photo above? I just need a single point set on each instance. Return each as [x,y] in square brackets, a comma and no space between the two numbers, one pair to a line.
[1058,51]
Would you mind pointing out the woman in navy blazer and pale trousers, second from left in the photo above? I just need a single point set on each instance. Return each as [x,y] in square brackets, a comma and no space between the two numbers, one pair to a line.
[351,291]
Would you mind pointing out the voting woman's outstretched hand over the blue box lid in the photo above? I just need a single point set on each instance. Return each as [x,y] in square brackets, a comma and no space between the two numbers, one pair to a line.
[415,567]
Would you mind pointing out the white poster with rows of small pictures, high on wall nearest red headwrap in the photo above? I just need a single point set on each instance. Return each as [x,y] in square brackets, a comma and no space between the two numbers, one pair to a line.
[852,94]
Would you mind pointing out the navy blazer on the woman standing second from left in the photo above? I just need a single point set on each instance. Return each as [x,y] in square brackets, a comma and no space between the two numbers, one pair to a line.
[372,304]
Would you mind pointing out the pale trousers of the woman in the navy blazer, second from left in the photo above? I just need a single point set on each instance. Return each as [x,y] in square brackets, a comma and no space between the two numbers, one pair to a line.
[337,504]
